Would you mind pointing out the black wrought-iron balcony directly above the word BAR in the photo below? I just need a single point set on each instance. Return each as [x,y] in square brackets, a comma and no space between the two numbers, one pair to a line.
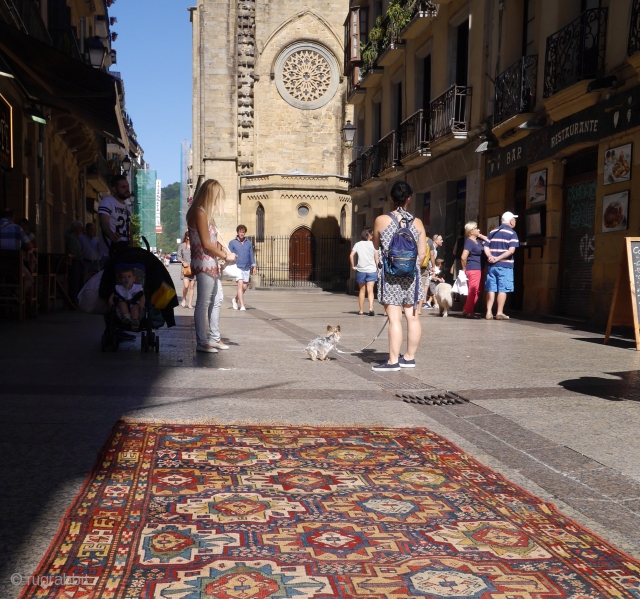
[516,89]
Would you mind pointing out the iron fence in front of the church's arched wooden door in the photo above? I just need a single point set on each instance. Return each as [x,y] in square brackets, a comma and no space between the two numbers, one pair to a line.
[303,260]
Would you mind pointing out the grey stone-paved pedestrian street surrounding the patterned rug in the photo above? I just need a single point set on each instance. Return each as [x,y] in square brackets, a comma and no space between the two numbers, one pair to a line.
[547,404]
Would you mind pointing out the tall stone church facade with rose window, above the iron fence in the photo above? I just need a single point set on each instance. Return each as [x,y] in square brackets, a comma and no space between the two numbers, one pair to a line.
[268,110]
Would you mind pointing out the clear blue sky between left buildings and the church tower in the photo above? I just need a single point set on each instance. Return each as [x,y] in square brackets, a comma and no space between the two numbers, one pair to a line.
[154,57]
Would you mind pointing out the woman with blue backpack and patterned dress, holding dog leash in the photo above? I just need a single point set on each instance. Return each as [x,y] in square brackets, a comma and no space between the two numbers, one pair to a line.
[401,240]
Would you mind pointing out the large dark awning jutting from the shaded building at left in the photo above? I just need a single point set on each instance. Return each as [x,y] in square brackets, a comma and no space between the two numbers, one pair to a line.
[60,81]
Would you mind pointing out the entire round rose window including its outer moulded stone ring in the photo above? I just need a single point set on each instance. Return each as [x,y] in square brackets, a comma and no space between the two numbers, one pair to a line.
[307,75]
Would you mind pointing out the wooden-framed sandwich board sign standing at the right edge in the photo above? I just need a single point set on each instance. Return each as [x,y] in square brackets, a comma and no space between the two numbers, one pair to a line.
[625,307]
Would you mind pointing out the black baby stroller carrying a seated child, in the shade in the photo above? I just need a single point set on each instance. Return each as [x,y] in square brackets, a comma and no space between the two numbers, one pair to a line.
[147,277]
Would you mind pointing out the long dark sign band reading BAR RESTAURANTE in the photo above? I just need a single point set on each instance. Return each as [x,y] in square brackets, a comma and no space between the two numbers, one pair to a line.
[611,117]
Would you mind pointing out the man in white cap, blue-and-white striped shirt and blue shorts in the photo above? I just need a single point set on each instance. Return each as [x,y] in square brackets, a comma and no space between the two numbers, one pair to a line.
[499,249]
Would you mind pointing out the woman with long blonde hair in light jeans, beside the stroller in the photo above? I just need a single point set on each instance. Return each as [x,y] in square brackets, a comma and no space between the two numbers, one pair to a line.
[205,251]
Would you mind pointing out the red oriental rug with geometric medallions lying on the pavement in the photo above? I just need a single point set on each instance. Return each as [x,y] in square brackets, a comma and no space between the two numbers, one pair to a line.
[248,512]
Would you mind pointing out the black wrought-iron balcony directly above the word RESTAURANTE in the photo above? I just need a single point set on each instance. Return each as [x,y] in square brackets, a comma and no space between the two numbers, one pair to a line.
[576,52]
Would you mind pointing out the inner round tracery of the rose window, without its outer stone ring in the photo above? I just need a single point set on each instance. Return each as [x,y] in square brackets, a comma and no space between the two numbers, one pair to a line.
[306,75]
